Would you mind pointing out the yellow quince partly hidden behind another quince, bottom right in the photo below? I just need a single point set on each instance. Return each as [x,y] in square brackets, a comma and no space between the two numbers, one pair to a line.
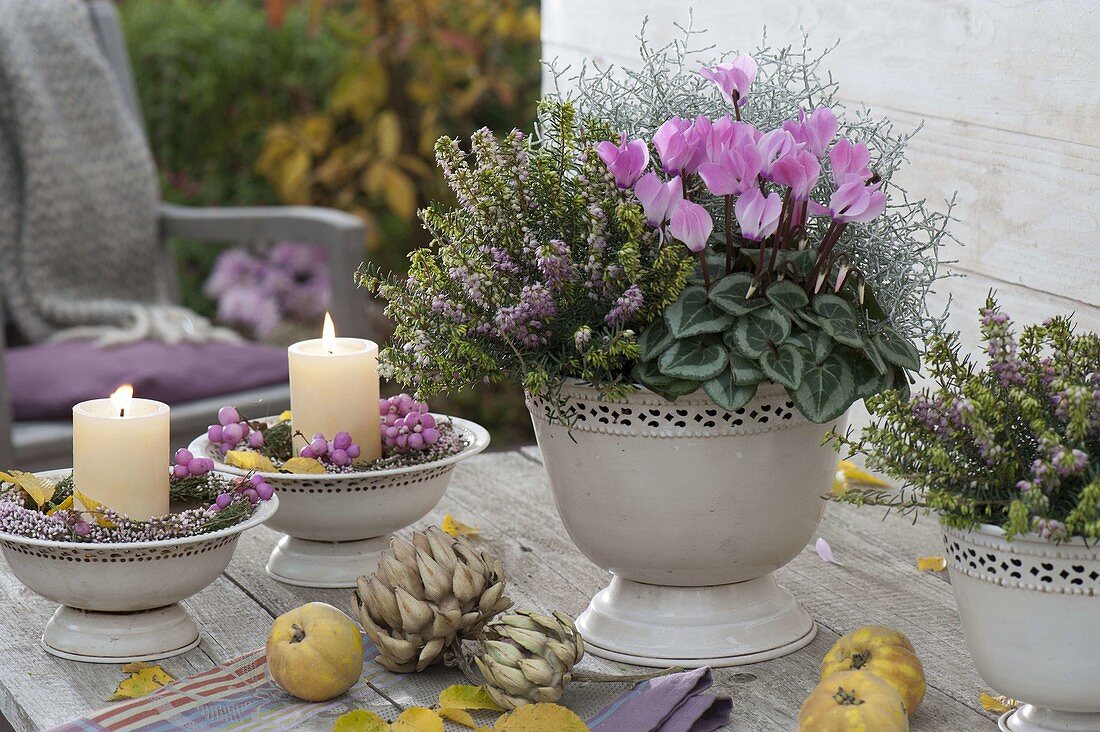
[884,652]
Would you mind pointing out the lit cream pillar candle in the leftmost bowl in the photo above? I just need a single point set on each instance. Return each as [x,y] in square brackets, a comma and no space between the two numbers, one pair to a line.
[120,454]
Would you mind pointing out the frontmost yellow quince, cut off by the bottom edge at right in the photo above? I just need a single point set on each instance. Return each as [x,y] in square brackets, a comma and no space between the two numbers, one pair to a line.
[853,702]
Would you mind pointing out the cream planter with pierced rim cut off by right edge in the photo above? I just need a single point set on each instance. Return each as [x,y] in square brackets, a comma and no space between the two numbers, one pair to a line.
[1031,615]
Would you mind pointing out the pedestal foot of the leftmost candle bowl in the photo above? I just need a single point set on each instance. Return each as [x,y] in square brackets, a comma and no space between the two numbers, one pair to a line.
[120,638]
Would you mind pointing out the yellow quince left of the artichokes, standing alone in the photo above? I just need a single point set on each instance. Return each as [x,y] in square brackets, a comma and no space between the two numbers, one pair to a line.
[315,652]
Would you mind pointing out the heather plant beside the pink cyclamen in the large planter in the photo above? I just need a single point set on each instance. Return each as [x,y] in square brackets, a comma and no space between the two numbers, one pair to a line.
[546,269]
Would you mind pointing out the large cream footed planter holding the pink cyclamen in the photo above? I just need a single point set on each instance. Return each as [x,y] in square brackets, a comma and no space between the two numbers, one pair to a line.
[691,509]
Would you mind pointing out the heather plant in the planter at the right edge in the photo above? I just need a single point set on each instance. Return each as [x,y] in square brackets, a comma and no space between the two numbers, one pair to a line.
[1015,443]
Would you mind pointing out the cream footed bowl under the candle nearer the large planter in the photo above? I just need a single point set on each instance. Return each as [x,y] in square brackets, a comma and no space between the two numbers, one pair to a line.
[337,526]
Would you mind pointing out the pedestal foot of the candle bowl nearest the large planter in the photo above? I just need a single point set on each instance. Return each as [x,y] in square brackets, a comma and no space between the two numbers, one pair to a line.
[325,564]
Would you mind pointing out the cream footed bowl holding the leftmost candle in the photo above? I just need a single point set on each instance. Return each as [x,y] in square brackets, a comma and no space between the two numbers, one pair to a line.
[120,603]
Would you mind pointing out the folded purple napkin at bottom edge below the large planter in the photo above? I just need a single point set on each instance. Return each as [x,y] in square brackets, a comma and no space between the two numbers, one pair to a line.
[668,704]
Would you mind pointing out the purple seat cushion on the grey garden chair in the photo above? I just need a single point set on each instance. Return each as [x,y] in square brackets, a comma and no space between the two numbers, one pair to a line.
[46,381]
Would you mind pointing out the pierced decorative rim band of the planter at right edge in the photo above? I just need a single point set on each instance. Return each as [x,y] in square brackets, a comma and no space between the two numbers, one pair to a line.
[1065,570]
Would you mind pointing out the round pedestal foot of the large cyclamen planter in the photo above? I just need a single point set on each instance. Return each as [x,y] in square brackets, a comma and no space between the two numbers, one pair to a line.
[721,626]
